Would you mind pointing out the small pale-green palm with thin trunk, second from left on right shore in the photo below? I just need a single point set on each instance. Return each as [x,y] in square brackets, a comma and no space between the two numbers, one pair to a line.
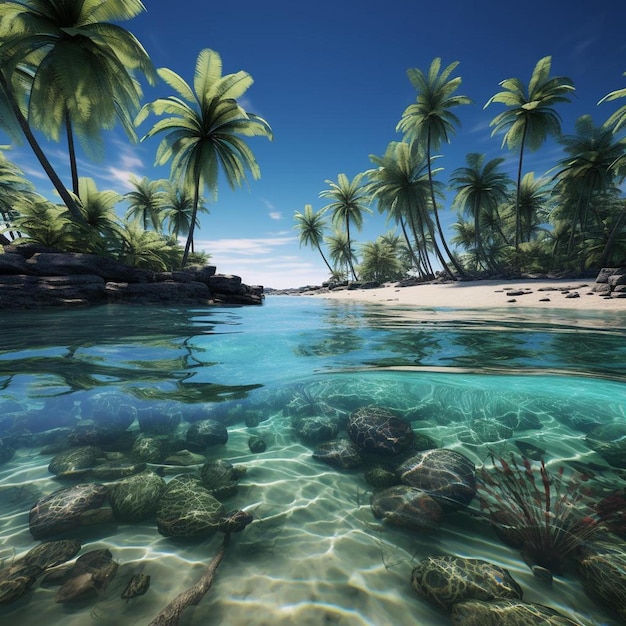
[347,206]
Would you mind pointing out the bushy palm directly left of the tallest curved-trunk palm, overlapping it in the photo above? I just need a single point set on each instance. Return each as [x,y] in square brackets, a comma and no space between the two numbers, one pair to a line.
[401,188]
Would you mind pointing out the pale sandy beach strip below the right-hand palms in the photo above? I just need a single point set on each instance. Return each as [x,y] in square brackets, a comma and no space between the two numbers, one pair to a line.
[547,294]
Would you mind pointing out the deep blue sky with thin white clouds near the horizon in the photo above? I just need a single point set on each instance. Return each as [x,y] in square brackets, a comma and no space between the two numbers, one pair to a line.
[330,78]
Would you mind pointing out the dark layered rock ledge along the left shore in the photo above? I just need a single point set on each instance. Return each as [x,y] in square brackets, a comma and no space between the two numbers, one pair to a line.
[34,277]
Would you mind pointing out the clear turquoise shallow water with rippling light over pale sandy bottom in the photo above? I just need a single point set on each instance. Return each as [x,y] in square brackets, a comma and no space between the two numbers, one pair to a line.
[315,553]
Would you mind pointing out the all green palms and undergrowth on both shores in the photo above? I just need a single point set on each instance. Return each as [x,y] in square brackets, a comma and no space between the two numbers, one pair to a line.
[569,221]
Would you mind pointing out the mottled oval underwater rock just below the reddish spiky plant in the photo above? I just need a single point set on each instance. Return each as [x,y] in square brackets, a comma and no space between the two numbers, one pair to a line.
[447,580]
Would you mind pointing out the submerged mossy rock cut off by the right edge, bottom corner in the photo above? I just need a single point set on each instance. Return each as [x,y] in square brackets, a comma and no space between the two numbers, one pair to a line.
[602,566]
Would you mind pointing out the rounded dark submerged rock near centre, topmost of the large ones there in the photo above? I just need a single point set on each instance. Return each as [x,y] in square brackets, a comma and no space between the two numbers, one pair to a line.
[375,429]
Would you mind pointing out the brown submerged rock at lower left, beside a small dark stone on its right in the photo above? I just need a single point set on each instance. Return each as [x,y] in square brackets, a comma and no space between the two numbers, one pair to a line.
[92,572]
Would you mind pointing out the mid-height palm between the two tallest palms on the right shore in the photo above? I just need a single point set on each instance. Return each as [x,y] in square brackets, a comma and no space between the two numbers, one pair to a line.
[480,189]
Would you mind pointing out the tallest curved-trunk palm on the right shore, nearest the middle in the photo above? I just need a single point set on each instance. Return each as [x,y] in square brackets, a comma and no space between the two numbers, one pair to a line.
[430,122]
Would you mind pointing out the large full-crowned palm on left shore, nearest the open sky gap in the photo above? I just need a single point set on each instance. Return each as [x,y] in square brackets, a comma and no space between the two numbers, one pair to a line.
[203,130]
